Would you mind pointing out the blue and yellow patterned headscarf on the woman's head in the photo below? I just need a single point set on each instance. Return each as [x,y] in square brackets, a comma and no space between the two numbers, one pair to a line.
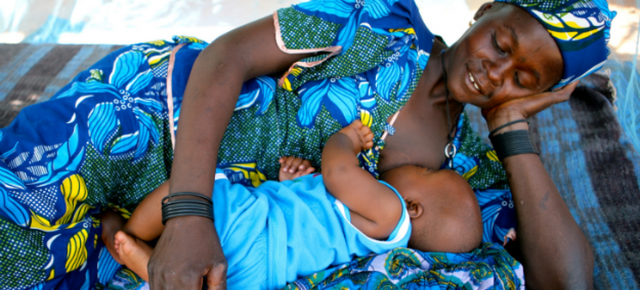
[579,27]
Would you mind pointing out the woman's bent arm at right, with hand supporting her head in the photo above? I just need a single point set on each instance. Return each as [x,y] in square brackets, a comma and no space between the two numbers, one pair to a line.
[554,251]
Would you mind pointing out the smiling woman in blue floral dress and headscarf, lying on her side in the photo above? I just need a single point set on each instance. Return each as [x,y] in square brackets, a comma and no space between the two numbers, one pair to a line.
[117,143]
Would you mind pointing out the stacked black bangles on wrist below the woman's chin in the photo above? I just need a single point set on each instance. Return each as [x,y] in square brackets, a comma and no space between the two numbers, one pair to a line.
[512,143]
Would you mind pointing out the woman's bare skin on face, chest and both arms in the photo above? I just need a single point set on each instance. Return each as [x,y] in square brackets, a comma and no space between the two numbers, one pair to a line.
[512,80]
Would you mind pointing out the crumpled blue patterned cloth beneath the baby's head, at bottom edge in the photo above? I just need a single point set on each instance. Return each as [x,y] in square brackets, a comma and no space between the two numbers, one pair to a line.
[488,267]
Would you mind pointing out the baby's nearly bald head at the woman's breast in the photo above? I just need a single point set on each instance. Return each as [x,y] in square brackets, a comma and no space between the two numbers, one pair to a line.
[444,211]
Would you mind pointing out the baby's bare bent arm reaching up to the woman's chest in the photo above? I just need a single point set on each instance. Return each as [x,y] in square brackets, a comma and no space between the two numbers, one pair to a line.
[375,208]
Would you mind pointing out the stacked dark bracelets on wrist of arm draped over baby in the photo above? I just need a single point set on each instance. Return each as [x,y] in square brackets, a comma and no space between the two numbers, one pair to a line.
[186,207]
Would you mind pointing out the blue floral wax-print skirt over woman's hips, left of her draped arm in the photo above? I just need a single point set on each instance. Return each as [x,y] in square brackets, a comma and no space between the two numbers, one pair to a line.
[100,142]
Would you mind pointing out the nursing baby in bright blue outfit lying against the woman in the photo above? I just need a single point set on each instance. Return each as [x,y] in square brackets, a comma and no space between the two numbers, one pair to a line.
[279,231]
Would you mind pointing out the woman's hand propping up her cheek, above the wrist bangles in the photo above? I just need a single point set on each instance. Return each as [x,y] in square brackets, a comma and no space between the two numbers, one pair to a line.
[526,107]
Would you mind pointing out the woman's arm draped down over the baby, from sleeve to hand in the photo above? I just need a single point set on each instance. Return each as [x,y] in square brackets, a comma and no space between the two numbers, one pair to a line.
[189,247]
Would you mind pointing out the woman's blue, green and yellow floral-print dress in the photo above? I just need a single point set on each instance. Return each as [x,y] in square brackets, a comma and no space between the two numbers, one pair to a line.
[104,141]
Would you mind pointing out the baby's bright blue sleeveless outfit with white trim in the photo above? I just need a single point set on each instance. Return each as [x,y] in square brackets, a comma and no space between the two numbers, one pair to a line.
[280,231]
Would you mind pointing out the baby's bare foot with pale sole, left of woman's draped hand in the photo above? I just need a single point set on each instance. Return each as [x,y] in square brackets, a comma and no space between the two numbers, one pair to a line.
[134,252]
